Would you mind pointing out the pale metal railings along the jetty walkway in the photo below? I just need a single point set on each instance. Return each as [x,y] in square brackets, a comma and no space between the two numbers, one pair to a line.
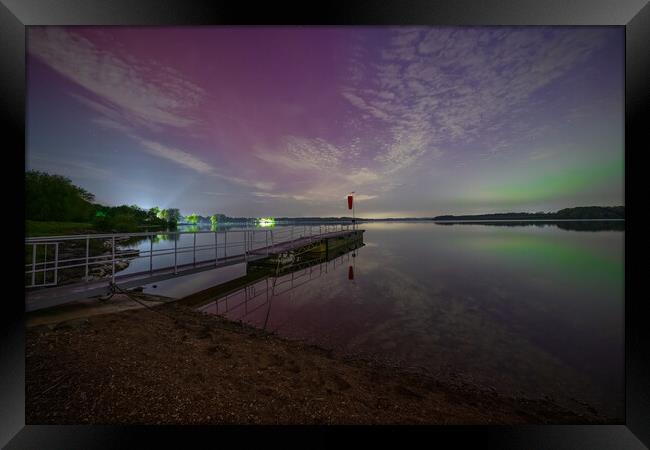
[98,256]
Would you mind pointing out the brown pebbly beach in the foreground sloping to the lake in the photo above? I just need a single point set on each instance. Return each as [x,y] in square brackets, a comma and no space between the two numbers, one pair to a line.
[168,364]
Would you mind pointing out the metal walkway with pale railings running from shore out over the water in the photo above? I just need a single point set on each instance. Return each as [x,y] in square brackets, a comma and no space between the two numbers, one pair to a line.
[45,287]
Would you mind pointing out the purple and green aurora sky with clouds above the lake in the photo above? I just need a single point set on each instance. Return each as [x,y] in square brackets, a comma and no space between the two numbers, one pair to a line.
[286,121]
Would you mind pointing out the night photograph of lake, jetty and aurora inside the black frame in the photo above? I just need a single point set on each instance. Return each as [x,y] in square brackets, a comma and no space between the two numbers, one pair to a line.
[325,225]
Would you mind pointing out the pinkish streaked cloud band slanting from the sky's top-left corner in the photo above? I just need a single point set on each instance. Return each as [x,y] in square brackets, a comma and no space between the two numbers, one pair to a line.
[148,94]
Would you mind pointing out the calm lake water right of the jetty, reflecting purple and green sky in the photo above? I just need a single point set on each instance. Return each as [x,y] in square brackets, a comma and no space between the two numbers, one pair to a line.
[528,310]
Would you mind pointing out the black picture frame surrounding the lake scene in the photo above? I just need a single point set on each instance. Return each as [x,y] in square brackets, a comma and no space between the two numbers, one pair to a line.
[634,15]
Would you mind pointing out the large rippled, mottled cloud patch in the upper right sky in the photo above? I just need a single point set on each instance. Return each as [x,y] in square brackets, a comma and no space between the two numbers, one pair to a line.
[440,88]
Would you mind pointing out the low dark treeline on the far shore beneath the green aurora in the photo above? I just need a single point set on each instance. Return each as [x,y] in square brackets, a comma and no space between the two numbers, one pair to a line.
[577,213]
